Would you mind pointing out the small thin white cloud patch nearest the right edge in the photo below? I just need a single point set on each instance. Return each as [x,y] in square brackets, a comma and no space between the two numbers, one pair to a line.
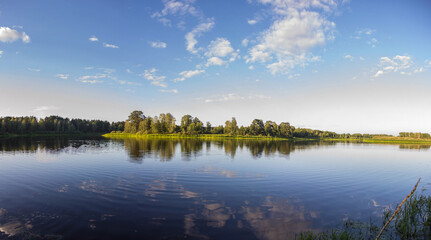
[398,64]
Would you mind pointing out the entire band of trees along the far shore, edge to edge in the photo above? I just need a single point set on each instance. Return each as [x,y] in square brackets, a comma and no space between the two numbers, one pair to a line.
[165,123]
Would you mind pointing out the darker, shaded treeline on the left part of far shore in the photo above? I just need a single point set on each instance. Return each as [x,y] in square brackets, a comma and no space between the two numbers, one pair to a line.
[56,124]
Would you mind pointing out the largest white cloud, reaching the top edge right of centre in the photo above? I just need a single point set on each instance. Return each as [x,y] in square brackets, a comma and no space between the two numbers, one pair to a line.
[291,37]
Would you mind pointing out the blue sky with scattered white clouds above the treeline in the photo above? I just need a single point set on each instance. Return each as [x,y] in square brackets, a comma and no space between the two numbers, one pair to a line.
[345,66]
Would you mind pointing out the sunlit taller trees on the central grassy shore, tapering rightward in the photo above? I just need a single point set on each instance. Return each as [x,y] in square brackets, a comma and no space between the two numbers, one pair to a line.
[165,124]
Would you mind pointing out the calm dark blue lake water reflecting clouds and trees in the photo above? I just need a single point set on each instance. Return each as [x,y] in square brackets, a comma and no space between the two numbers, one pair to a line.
[56,188]
